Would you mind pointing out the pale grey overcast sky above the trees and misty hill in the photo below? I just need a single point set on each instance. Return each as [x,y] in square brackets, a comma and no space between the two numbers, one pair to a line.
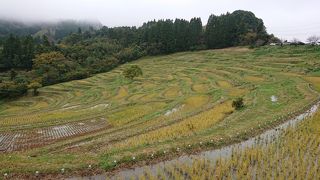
[285,18]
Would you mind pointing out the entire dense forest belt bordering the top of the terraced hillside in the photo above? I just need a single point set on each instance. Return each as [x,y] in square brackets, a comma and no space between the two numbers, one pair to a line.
[29,62]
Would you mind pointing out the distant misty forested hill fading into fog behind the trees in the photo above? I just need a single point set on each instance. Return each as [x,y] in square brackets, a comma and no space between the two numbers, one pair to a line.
[54,30]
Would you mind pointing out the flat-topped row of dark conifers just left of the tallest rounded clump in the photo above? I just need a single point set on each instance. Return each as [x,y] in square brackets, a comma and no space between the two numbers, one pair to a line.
[167,36]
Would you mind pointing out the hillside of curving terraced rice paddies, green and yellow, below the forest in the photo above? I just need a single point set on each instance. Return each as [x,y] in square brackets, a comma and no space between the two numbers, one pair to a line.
[107,122]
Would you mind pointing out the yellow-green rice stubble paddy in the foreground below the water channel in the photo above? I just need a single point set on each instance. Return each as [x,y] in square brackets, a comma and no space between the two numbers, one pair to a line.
[295,155]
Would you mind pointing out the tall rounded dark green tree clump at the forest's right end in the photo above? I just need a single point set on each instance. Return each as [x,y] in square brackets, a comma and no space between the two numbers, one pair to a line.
[237,28]
